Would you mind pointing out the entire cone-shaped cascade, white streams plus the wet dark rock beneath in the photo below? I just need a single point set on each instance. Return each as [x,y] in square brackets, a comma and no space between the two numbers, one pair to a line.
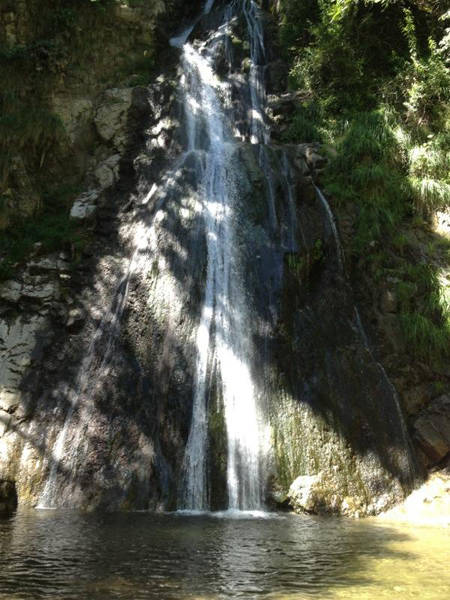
[229,311]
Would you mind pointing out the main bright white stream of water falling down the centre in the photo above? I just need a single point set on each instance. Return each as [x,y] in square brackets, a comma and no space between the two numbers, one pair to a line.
[223,340]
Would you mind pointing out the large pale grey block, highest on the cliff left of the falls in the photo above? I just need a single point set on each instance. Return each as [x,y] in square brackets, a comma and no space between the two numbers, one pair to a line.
[111,117]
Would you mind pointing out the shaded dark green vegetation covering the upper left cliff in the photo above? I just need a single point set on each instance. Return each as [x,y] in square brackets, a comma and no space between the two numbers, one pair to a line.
[54,50]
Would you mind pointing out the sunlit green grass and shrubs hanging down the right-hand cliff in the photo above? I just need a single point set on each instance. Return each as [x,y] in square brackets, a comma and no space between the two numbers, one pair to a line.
[377,75]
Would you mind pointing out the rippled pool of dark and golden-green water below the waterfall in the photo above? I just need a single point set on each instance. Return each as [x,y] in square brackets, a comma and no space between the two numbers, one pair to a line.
[66,555]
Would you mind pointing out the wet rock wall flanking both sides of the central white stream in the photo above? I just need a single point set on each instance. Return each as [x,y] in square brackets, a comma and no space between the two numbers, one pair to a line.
[97,413]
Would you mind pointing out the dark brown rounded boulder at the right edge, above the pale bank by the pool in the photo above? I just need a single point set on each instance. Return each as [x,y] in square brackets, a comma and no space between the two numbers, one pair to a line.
[432,430]
